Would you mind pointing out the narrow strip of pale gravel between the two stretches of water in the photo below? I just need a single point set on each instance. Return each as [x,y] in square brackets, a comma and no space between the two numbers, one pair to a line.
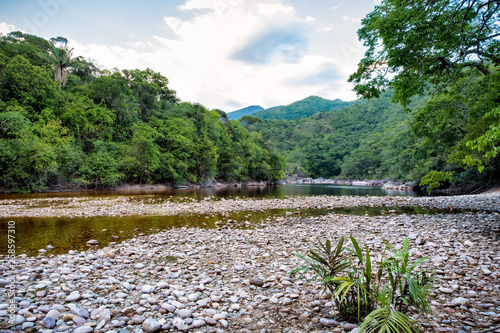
[144,205]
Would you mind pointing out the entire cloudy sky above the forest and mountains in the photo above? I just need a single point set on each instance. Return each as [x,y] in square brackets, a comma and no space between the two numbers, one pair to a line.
[224,54]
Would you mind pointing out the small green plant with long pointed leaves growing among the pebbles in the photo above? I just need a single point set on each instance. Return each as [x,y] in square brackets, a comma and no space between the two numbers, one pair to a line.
[382,300]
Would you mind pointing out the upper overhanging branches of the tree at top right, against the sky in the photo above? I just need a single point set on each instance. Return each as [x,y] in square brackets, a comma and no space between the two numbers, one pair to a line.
[412,43]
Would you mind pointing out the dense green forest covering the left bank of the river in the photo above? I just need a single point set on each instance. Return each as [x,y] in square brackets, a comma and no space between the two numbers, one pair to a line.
[64,121]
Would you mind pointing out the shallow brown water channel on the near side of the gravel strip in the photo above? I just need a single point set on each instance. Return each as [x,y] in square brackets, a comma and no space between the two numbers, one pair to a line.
[64,234]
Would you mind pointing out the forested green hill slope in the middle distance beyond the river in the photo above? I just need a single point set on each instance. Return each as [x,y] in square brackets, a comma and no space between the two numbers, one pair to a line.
[362,139]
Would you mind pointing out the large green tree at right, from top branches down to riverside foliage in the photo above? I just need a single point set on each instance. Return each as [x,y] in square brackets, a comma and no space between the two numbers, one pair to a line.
[442,47]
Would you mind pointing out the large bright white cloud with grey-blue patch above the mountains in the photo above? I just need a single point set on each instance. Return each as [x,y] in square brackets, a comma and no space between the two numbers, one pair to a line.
[197,54]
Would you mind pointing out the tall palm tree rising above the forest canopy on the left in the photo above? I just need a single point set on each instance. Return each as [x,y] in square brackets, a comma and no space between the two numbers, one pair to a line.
[61,59]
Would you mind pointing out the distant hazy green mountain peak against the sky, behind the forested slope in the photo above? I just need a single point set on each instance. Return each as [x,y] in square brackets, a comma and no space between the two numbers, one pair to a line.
[301,109]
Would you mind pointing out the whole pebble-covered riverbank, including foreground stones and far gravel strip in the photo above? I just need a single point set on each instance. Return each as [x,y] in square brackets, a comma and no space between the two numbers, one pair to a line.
[233,280]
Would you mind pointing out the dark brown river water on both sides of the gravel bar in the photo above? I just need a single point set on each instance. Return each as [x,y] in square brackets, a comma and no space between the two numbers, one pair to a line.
[64,234]
